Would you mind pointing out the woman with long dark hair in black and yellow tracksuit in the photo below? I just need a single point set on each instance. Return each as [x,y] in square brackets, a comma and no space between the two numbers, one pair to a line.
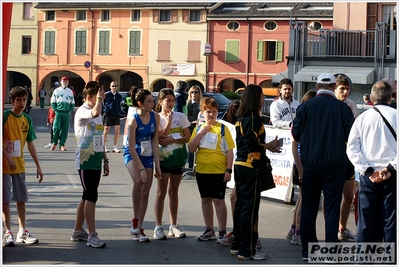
[250,142]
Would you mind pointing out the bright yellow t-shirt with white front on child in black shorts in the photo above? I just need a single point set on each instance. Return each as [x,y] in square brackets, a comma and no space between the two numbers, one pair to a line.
[211,155]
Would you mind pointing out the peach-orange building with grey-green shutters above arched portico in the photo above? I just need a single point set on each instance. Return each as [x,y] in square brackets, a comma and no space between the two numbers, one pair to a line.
[92,44]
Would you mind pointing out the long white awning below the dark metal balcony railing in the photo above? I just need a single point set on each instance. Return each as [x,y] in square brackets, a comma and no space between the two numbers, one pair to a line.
[356,74]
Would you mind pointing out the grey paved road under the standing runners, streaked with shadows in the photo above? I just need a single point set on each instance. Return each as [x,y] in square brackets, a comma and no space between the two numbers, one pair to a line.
[51,215]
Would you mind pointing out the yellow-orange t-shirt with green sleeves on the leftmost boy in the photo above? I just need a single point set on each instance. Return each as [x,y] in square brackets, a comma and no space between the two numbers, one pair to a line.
[17,130]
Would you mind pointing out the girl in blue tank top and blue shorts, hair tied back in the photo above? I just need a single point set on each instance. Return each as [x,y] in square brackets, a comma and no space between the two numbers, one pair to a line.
[140,154]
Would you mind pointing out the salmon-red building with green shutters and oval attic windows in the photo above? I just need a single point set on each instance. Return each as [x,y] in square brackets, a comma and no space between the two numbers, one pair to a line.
[250,41]
